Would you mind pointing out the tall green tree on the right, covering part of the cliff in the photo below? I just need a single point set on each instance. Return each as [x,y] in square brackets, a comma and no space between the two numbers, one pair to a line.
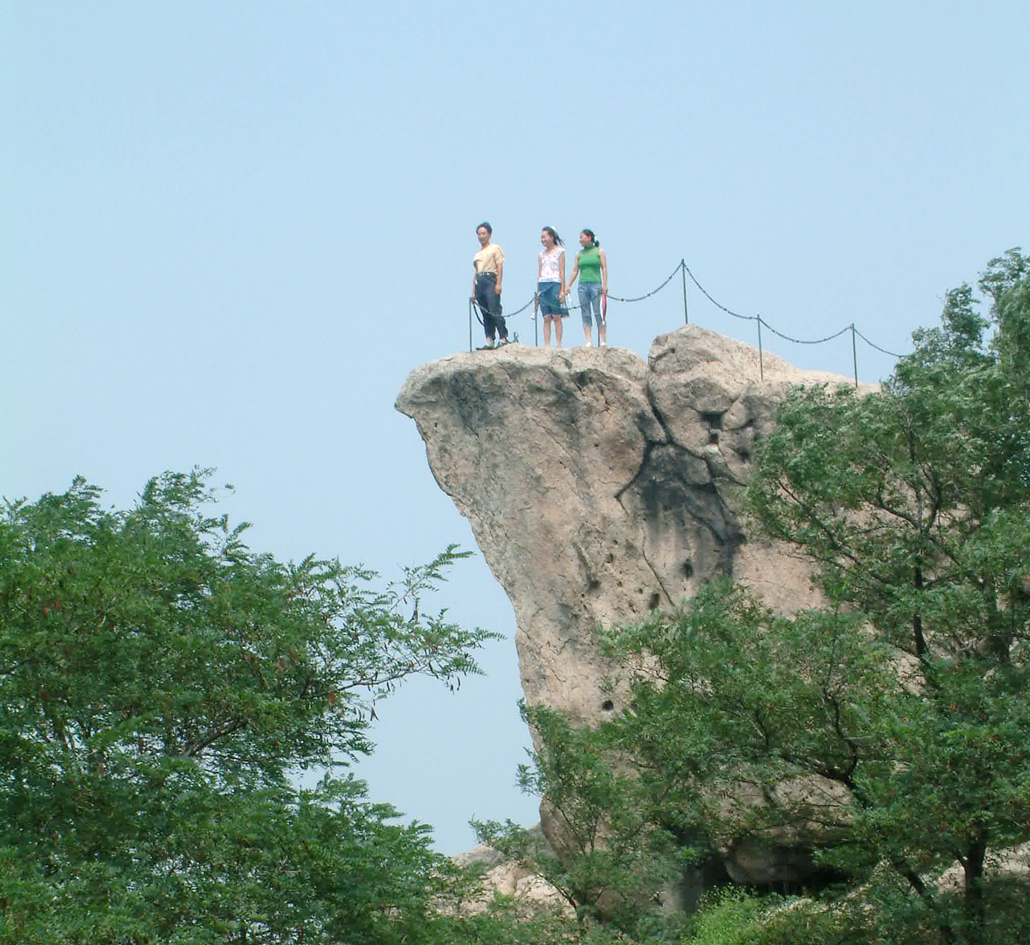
[905,700]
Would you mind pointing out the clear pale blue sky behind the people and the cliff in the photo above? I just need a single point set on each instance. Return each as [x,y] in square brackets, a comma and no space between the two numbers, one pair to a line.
[229,231]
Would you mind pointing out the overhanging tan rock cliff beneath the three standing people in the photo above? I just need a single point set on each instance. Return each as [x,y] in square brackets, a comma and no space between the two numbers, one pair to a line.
[599,487]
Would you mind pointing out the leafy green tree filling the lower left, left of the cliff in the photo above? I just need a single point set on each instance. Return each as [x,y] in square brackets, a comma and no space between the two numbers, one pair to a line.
[160,685]
